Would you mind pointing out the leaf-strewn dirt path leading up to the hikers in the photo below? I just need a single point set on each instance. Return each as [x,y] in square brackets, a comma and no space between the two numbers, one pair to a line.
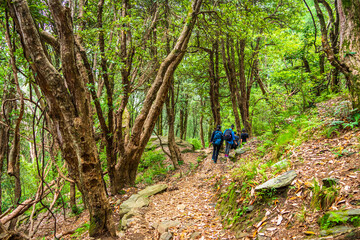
[191,201]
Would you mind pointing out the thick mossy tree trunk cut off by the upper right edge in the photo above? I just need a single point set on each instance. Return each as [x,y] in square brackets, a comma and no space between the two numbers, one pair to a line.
[343,51]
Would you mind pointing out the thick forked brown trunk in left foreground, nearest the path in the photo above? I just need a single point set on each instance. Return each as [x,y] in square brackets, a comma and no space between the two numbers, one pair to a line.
[69,107]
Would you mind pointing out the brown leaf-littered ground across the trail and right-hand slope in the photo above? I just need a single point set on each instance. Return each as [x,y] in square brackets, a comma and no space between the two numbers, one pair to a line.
[189,204]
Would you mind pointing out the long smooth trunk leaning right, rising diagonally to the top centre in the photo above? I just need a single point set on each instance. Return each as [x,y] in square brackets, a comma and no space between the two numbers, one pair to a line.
[153,103]
